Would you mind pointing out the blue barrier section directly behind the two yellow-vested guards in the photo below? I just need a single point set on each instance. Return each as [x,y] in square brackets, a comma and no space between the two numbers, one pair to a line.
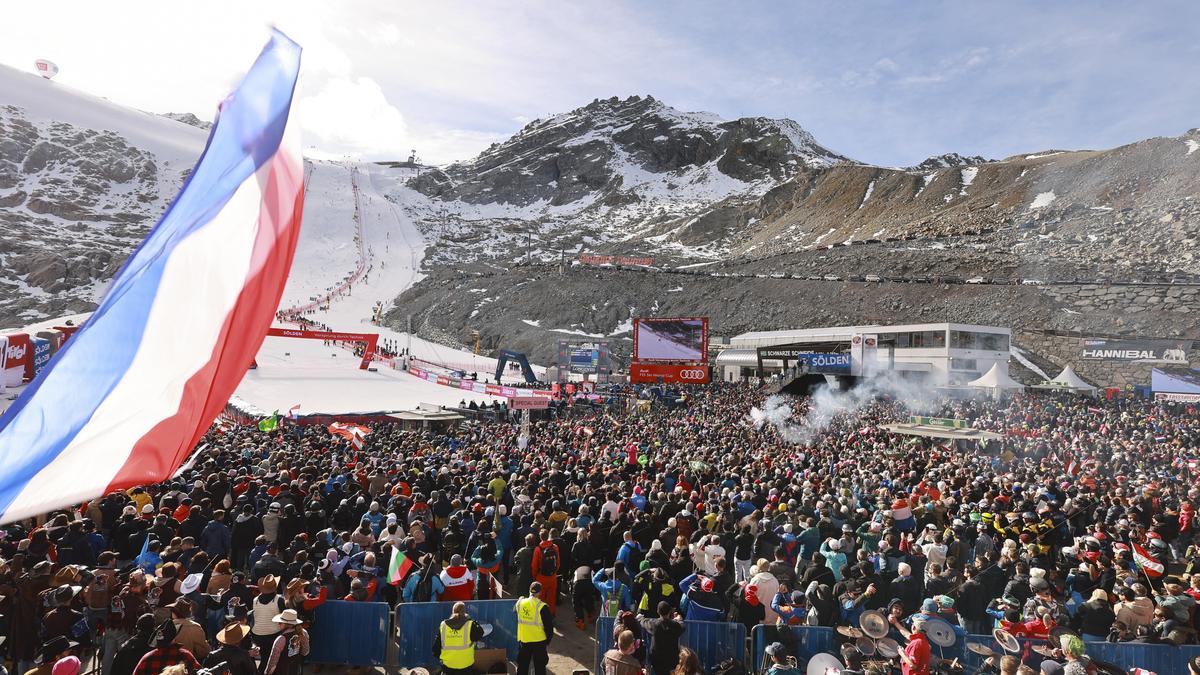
[417,624]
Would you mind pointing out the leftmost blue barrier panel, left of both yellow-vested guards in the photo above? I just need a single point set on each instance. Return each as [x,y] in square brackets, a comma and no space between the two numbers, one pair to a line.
[351,634]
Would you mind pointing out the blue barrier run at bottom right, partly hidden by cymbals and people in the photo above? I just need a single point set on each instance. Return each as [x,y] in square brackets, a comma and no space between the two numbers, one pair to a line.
[1159,659]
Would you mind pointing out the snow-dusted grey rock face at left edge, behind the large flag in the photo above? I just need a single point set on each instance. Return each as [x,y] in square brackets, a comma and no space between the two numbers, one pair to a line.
[74,204]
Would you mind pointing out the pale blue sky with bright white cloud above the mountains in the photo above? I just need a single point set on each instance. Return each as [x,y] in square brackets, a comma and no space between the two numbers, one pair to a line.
[884,82]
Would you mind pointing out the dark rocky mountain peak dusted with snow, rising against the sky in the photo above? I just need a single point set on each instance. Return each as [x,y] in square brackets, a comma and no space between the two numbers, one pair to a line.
[622,151]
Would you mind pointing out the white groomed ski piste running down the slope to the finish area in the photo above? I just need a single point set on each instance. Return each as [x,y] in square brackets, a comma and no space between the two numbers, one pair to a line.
[305,372]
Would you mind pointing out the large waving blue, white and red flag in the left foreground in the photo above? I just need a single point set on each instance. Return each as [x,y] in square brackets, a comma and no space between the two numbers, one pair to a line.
[134,391]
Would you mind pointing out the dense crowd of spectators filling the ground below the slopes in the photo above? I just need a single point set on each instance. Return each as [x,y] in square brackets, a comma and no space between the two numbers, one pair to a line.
[1082,519]
